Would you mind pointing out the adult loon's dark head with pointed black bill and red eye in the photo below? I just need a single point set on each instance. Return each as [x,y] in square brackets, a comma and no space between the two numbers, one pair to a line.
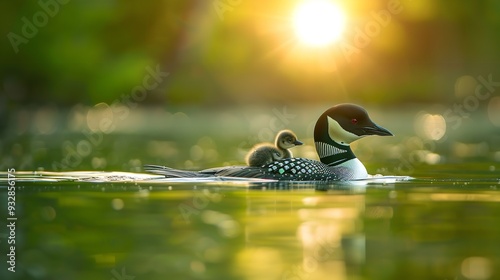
[345,123]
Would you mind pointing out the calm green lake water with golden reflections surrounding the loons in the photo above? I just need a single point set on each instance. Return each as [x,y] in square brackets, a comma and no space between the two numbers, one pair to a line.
[441,225]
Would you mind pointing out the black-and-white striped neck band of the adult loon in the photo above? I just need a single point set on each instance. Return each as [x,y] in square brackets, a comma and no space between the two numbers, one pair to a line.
[333,153]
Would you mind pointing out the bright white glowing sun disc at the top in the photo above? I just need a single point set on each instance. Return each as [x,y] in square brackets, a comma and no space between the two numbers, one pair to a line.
[318,23]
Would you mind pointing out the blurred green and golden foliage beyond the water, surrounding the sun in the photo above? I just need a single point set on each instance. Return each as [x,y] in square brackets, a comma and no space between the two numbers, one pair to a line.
[245,52]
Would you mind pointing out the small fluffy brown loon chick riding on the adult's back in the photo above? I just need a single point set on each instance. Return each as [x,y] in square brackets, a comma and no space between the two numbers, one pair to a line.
[262,154]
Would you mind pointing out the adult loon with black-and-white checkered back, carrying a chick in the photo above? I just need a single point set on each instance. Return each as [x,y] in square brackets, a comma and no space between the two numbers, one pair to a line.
[335,129]
